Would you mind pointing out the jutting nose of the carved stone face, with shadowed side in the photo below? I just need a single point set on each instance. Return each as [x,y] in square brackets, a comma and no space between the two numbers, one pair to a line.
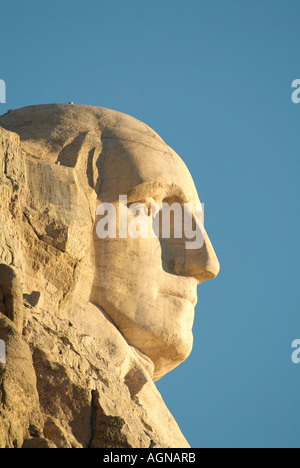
[201,264]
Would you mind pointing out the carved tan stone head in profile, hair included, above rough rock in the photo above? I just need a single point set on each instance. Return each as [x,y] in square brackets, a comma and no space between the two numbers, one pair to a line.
[148,287]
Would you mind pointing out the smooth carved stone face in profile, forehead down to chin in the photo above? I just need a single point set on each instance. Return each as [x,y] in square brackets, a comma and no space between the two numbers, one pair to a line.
[148,287]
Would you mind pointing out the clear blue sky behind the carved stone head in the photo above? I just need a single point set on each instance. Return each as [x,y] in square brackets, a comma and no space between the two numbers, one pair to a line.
[213,78]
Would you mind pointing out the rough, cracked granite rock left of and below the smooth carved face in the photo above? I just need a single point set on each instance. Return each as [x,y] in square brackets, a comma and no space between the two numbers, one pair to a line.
[70,378]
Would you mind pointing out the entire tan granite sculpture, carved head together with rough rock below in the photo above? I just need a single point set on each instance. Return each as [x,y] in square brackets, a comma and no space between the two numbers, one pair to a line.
[86,324]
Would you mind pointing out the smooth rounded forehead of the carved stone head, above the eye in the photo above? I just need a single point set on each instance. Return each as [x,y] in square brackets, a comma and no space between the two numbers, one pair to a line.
[130,167]
